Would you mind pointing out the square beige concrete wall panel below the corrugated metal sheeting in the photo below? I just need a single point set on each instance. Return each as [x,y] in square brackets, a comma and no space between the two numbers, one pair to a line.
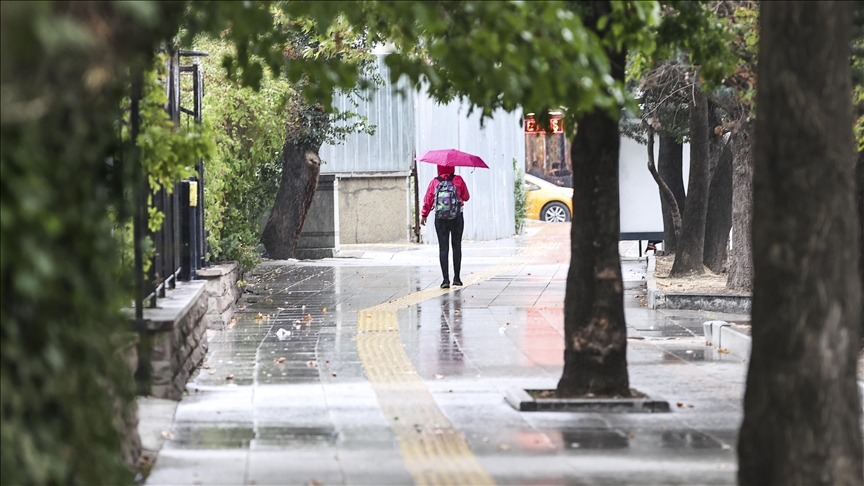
[374,209]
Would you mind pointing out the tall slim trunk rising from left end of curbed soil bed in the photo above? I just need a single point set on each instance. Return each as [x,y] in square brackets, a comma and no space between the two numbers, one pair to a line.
[688,257]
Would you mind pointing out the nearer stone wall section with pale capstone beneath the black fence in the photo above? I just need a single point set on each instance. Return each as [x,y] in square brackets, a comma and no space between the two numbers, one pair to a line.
[177,338]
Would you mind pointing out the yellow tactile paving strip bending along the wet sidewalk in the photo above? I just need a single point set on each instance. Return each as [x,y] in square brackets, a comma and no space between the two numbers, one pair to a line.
[434,452]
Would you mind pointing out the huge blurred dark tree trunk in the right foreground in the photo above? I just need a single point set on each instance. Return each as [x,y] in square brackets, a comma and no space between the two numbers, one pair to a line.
[801,408]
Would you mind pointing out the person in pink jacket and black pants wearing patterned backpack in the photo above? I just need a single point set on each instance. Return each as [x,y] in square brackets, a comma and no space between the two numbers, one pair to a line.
[447,194]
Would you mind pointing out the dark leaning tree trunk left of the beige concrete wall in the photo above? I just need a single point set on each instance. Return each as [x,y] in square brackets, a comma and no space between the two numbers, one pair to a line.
[300,169]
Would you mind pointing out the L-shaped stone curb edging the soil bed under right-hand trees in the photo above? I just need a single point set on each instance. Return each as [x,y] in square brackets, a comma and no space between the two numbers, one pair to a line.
[726,303]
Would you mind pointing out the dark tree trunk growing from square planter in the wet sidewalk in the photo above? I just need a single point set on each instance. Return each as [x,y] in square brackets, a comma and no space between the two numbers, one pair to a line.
[595,333]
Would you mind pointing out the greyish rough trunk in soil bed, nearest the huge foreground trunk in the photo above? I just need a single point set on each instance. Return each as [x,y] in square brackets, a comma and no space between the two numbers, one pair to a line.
[741,264]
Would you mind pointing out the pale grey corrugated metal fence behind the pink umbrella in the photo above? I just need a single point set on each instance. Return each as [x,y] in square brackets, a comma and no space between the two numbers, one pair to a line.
[415,123]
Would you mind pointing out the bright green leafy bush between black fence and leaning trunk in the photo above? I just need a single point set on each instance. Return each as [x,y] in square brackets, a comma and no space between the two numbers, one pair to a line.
[249,129]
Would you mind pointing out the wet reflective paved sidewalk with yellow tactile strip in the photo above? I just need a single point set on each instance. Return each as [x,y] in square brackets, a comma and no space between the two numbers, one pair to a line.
[359,370]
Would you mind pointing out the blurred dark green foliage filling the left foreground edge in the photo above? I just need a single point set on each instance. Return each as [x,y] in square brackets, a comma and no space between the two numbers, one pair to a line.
[64,71]
